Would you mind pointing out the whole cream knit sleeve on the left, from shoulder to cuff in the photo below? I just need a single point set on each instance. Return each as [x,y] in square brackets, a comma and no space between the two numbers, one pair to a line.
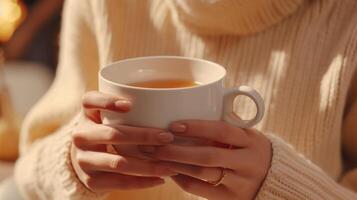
[43,170]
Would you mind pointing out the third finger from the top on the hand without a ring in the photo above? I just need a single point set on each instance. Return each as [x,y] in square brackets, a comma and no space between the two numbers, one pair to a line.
[90,161]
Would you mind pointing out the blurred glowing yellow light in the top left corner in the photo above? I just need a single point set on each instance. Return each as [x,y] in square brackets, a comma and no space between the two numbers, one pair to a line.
[12,12]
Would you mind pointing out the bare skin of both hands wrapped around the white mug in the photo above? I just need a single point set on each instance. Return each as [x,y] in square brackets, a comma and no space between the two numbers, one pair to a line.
[244,154]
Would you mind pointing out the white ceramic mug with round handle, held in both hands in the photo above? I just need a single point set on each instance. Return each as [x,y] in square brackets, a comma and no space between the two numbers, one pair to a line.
[156,107]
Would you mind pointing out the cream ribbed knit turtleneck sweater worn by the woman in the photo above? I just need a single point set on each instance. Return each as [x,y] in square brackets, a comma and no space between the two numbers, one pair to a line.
[301,55]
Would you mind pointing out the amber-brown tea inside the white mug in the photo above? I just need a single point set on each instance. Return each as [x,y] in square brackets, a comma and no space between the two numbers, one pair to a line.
[169,83]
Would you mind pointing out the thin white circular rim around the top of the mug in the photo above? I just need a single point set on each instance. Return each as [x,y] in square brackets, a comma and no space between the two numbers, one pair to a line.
[102,78]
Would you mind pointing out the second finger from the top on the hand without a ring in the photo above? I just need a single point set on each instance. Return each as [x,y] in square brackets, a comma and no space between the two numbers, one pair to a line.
[91,133]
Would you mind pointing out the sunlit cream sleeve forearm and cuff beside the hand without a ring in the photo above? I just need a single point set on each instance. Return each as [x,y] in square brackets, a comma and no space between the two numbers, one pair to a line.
[46,172]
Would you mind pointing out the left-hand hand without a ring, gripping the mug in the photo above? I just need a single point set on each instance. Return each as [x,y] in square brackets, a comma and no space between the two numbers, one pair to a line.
[101,171]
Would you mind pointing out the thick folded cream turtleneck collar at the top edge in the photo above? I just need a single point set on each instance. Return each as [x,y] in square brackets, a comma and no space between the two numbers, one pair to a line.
[240,17]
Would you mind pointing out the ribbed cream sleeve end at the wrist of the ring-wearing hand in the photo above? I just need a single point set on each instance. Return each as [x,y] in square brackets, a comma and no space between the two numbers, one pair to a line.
[291,176]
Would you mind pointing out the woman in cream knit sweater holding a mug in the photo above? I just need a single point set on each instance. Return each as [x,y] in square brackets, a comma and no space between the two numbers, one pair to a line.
[299,54]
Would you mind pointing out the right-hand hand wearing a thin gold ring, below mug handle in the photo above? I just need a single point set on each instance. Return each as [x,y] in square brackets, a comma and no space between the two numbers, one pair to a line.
[240,169]
